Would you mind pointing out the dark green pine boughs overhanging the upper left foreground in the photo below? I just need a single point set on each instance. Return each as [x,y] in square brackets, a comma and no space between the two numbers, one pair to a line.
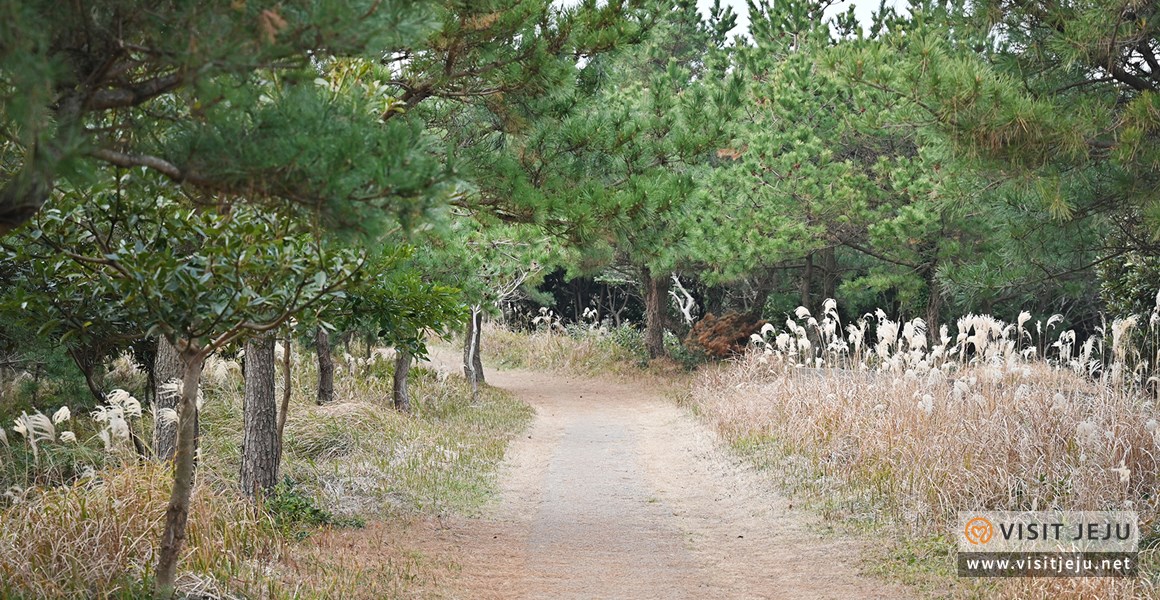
[184,90]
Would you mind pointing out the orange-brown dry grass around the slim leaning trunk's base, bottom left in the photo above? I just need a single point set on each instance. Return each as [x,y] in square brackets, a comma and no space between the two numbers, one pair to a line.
[98,538]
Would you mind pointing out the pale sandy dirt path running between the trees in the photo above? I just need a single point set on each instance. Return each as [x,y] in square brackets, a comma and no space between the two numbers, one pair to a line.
[615,493]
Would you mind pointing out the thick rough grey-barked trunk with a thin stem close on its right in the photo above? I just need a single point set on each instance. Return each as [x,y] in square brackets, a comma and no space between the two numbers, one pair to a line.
[260,450]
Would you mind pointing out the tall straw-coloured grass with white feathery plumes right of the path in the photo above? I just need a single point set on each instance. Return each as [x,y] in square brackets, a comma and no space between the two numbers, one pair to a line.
[898,428]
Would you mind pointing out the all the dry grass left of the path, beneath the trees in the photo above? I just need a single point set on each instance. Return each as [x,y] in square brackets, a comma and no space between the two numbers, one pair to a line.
[358,458]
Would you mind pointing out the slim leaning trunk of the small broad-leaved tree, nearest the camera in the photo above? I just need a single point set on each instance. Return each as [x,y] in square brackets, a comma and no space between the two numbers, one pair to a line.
[177,515]
